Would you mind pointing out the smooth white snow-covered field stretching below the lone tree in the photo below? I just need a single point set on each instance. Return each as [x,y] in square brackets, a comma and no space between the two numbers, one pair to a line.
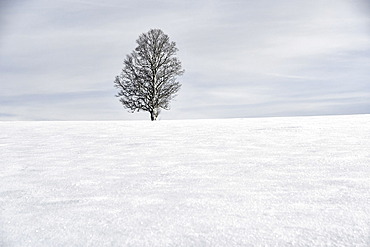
[301,181]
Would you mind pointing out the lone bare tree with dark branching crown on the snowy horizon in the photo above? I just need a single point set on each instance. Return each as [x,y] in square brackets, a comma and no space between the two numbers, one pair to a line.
[148,81]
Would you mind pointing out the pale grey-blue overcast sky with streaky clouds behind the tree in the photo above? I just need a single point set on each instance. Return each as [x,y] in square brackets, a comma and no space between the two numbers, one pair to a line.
[242,58]
